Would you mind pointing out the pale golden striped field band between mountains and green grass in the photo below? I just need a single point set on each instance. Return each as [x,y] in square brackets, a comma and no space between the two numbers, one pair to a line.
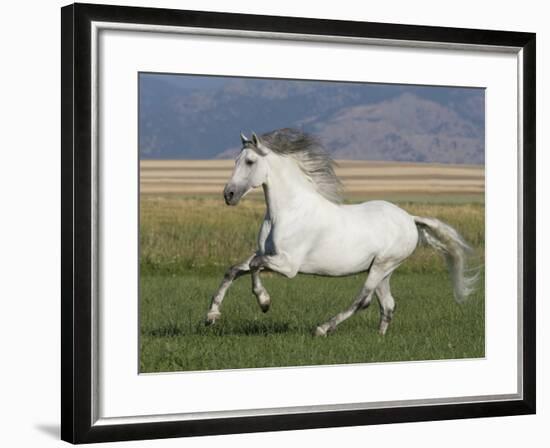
[207,177]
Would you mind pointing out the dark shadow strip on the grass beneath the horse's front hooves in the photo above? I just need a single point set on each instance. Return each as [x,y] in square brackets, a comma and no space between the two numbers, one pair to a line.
[239,328]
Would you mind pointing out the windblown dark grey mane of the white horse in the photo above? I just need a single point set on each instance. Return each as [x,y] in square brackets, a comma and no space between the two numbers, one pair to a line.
[312,158]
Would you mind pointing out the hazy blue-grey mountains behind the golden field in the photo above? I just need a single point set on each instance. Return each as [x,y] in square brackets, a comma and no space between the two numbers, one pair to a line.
[354,121]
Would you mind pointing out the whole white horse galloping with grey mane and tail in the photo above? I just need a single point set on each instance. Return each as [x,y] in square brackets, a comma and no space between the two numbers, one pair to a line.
[307,230]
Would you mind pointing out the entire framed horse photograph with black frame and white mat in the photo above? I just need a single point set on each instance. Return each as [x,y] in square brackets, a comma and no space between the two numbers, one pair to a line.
[276,223]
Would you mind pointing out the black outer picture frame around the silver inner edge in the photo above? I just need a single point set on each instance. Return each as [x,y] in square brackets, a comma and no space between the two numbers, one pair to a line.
[76,219]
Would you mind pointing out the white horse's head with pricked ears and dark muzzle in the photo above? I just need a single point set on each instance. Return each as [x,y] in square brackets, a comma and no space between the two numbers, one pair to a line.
[250,170]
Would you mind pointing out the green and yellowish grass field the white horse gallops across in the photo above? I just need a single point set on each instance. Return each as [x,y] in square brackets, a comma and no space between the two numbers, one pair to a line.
[187,243]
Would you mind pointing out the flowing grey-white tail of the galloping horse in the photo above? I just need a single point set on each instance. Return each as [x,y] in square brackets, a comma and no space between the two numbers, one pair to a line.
[448,241]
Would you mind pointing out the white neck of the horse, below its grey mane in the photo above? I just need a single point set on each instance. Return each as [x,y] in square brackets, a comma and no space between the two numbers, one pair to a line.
[288,192]
